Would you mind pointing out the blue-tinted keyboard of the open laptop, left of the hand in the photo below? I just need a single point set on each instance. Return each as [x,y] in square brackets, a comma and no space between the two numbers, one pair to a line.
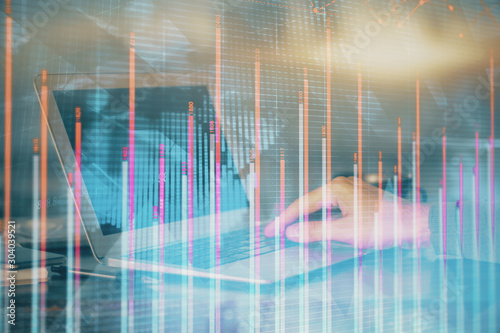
[235,246]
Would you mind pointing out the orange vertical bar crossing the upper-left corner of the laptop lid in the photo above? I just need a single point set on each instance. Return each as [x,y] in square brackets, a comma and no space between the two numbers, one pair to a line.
[43,187]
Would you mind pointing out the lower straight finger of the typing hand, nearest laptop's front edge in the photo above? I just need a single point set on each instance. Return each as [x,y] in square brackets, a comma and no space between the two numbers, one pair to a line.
[341,230]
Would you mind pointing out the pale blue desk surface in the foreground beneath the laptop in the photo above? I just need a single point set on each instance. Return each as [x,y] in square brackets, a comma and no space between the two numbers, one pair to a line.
[459,295]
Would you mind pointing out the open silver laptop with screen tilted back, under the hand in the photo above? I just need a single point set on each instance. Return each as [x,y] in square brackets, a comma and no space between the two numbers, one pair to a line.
[190,211]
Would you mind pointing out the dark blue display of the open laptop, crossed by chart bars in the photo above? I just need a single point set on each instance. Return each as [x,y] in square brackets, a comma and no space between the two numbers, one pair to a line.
[162,117]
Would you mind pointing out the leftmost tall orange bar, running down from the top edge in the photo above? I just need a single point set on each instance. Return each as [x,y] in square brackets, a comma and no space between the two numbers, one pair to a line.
[8,112]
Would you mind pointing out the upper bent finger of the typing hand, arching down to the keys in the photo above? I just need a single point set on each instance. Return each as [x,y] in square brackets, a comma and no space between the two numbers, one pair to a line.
[337,188]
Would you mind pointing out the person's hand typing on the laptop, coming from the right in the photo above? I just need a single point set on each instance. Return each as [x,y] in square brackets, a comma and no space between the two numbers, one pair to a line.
[340,193]
